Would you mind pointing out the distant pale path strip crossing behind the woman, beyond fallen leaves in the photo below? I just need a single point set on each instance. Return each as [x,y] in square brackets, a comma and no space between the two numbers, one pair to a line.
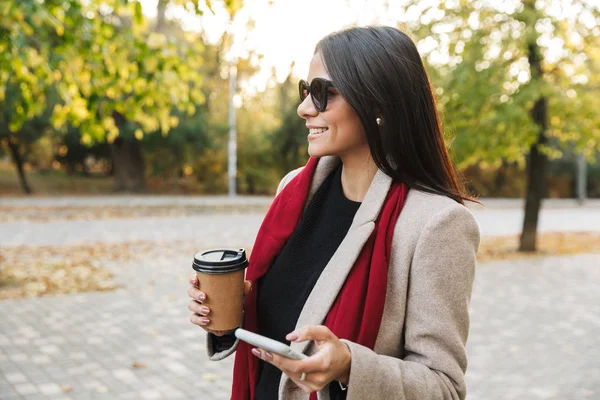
[500,218]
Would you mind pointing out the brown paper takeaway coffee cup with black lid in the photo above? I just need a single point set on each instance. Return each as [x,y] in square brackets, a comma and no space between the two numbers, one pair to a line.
[221,276]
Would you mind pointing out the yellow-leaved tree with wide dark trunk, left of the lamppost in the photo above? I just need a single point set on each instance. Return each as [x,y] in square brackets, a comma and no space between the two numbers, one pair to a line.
[113,75]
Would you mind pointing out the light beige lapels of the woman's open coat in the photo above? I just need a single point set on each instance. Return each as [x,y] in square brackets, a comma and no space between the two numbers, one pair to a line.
[334,275]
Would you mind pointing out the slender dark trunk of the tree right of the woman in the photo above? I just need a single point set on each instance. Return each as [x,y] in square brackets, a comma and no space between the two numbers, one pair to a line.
[536,164]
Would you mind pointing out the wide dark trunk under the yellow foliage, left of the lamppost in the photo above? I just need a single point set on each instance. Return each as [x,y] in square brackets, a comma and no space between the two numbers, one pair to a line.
[128,165]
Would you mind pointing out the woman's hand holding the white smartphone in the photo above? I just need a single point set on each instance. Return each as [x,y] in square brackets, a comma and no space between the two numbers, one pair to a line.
[330,363]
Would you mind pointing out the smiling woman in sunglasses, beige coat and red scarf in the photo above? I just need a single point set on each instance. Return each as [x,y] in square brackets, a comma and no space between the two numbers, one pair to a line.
[366,258]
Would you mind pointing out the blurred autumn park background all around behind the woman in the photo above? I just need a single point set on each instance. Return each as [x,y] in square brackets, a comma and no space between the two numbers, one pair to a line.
[135,133]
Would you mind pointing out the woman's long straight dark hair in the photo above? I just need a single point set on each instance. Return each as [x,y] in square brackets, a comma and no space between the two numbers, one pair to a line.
[379,72]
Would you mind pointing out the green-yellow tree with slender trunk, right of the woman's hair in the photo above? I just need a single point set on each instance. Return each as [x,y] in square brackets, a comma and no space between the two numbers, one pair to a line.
[512,78]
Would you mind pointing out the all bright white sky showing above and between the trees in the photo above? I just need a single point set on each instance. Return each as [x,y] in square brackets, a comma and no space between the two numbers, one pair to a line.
[287,31]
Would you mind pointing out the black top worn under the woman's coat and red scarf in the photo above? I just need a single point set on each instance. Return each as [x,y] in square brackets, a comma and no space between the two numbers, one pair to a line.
[284,289]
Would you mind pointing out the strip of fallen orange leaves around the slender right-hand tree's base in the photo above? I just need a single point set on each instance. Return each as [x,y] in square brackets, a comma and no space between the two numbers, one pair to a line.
[549,244]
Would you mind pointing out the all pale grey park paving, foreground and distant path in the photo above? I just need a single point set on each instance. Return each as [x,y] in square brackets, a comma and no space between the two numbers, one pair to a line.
[534,332]
